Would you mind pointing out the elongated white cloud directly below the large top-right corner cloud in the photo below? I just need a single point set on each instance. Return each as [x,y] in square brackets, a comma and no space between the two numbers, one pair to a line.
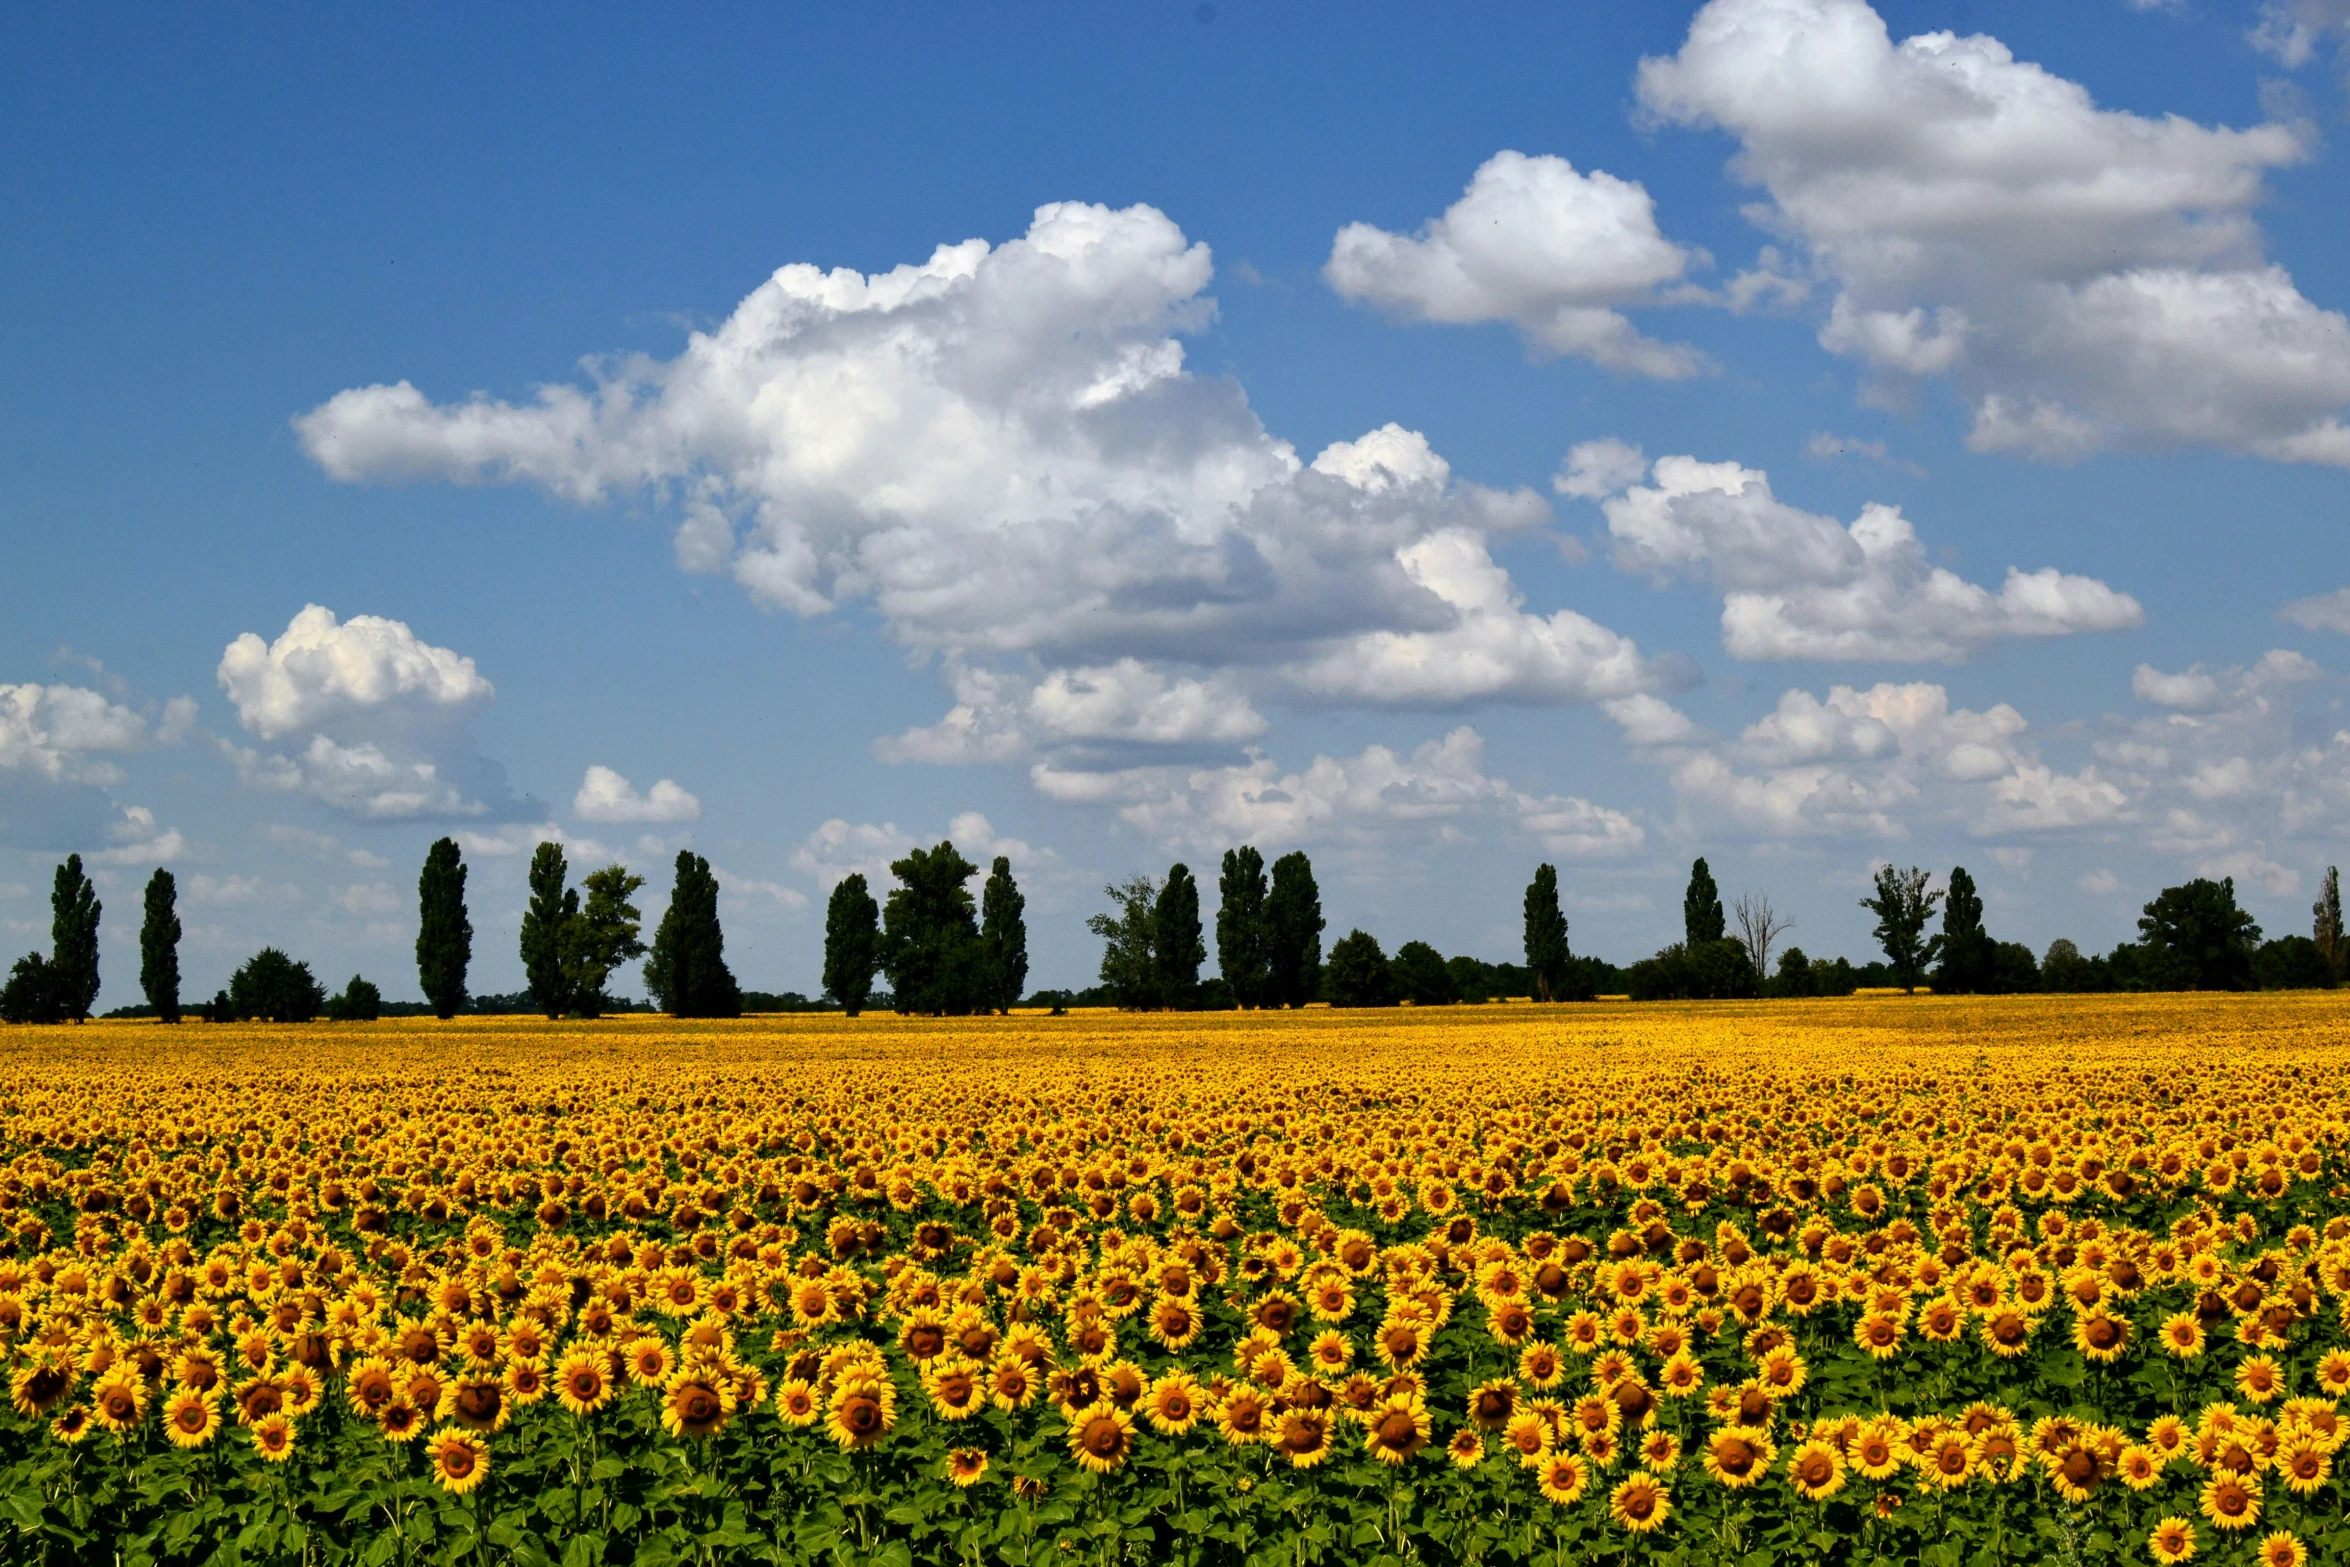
[1806,586]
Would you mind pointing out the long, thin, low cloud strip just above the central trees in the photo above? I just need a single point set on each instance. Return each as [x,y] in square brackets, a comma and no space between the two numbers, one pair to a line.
[1348,800]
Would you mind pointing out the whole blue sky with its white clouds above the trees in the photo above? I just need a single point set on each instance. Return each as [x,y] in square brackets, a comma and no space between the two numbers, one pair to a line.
[1437,440]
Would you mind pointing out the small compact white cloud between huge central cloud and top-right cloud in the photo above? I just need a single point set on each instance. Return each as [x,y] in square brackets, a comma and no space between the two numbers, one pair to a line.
[1538,246]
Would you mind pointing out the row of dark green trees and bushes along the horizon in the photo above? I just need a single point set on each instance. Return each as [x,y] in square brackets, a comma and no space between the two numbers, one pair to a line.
[948,953]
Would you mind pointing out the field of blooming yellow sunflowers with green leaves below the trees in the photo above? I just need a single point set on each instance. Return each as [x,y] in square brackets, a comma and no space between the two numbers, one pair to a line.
[1846,1282]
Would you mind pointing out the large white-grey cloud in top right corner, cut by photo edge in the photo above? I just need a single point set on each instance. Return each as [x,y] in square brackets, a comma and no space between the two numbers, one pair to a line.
[2088,278]
